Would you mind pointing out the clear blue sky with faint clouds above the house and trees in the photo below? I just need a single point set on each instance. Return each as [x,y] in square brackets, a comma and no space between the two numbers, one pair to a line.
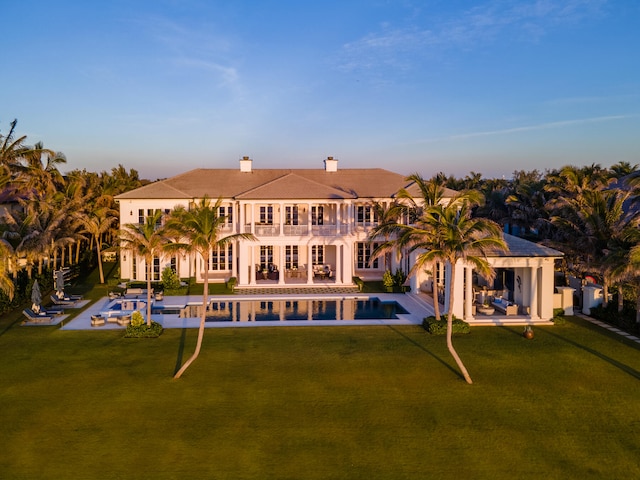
[425,86]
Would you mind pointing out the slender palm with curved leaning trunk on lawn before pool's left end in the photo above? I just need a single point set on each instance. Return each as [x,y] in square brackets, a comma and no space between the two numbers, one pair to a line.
[200,229]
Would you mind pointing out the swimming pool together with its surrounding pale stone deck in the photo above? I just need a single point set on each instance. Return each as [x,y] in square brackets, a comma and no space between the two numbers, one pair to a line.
[263,310]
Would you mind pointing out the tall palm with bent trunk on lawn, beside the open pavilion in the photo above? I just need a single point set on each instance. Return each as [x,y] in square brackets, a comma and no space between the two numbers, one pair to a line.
[449,233]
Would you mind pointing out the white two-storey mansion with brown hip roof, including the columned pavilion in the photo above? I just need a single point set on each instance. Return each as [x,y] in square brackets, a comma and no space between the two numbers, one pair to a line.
[311,228]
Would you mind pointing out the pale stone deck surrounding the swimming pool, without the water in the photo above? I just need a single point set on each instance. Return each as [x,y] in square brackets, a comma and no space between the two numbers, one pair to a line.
[417,307]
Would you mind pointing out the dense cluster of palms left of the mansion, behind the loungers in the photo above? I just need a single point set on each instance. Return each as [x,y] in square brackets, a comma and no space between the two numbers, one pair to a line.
[48,219]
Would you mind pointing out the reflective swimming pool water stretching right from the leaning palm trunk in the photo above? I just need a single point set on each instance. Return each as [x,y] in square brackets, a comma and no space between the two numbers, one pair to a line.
[309,310]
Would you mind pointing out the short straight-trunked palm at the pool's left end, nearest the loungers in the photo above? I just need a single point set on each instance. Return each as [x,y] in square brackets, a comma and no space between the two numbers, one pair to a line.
[146,240]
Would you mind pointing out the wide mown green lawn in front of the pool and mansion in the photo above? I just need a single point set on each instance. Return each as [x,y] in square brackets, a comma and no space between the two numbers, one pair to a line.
[319,403]
